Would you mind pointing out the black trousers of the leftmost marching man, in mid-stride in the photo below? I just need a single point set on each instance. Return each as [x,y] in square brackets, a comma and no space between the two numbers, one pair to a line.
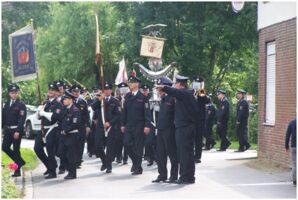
[8,140]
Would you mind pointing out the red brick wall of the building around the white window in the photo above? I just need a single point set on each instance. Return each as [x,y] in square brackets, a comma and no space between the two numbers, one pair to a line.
[271,138]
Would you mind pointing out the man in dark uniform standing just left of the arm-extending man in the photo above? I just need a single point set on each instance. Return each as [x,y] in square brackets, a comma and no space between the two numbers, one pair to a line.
[165,140]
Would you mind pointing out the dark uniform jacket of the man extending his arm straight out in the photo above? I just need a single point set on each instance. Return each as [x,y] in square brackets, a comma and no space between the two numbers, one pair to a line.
[186,110]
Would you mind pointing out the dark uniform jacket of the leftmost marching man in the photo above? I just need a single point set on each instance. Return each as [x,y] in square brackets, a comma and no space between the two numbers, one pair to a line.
[14,115]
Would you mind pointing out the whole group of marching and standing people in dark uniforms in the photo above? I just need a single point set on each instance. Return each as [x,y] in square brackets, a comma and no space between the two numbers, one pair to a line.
[124,125]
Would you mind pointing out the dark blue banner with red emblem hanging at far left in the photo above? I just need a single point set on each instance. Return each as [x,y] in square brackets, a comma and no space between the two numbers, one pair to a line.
[22,54]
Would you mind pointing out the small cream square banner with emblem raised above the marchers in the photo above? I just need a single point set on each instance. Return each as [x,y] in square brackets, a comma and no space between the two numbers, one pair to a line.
[152,46]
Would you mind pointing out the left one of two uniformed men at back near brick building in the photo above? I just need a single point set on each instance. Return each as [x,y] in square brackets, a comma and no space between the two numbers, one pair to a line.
[222,116]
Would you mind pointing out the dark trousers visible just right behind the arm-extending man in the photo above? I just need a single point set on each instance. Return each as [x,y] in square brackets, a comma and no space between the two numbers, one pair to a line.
[199,138]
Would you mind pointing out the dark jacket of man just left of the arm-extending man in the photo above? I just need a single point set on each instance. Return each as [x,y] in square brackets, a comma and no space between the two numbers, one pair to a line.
[166,113]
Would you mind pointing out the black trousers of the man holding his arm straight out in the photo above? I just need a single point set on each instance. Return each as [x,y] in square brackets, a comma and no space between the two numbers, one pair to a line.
[185,137]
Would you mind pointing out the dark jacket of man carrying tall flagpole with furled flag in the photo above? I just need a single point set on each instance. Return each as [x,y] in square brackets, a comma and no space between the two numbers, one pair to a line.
[112,111]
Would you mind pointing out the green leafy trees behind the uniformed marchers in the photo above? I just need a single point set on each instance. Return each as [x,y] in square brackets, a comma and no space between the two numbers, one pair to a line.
[205,38]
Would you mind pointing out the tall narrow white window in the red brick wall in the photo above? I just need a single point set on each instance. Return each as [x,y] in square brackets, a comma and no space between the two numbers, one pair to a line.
[270,83]
